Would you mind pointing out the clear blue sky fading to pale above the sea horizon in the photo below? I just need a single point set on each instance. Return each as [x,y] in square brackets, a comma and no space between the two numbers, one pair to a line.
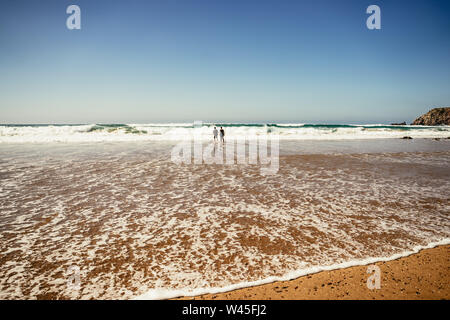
[223,60]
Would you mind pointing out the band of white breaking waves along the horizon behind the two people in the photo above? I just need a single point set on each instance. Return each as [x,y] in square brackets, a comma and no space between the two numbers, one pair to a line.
[14,133]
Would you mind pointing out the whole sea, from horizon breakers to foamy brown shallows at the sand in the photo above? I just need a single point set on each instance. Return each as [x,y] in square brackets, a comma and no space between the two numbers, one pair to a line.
[108,200]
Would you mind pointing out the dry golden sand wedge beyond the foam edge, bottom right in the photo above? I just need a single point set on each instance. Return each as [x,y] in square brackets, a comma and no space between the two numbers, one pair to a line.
[425,275]
